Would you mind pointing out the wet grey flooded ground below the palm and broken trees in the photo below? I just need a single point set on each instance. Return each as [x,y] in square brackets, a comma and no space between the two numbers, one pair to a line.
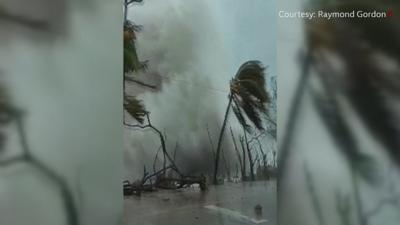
[228,204]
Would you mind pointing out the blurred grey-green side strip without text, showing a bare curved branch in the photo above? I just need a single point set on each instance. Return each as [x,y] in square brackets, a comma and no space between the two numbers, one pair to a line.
[60,112]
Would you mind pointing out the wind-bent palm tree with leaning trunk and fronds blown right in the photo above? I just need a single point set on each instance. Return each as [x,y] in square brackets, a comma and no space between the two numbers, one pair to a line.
[249,97]
